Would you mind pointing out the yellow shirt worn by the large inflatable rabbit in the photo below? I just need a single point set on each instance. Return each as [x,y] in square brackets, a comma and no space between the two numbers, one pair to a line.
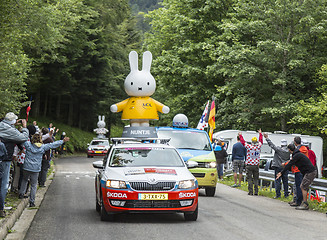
[139,108]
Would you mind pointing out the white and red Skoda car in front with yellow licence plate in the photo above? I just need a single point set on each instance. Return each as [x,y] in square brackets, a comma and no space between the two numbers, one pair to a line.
[144,177]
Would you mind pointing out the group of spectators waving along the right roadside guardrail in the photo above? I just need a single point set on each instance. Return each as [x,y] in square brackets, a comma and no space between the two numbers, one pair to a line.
[296,157]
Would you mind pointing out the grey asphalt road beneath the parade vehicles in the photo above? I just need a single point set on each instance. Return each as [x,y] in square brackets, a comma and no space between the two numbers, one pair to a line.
[68,212]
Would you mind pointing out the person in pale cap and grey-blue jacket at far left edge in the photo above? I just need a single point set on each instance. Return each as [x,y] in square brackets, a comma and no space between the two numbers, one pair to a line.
[10,136]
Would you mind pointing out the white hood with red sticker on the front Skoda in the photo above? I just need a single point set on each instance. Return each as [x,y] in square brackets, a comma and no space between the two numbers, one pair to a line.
[149,174]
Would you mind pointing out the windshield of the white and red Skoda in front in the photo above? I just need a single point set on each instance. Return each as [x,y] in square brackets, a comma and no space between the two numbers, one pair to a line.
[139,157]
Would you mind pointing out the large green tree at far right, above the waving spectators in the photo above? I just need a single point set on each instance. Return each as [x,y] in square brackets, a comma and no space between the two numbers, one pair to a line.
[268,53]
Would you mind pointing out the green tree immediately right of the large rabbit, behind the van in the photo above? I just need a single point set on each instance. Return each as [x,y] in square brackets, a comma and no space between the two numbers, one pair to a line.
[181,43]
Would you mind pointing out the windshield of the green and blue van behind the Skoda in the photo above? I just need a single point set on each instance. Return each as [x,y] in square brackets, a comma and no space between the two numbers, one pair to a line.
[186,139]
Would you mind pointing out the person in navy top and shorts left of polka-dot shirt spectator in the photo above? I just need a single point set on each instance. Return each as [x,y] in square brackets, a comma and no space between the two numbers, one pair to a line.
[238,158]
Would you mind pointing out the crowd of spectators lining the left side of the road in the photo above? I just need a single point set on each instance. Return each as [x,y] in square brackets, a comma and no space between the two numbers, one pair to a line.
[25,155]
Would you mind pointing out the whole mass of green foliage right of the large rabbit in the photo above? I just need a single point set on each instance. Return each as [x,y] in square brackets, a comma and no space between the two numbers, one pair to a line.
[258,58]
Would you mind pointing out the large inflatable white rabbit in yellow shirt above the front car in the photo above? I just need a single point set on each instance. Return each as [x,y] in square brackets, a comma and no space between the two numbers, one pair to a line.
[140,85]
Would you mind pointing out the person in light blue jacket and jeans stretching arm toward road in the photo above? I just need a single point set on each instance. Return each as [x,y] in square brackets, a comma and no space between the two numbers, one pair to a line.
[32,164]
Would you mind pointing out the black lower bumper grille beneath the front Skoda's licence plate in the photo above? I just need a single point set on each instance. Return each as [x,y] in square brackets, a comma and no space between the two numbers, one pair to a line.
[152,204]
